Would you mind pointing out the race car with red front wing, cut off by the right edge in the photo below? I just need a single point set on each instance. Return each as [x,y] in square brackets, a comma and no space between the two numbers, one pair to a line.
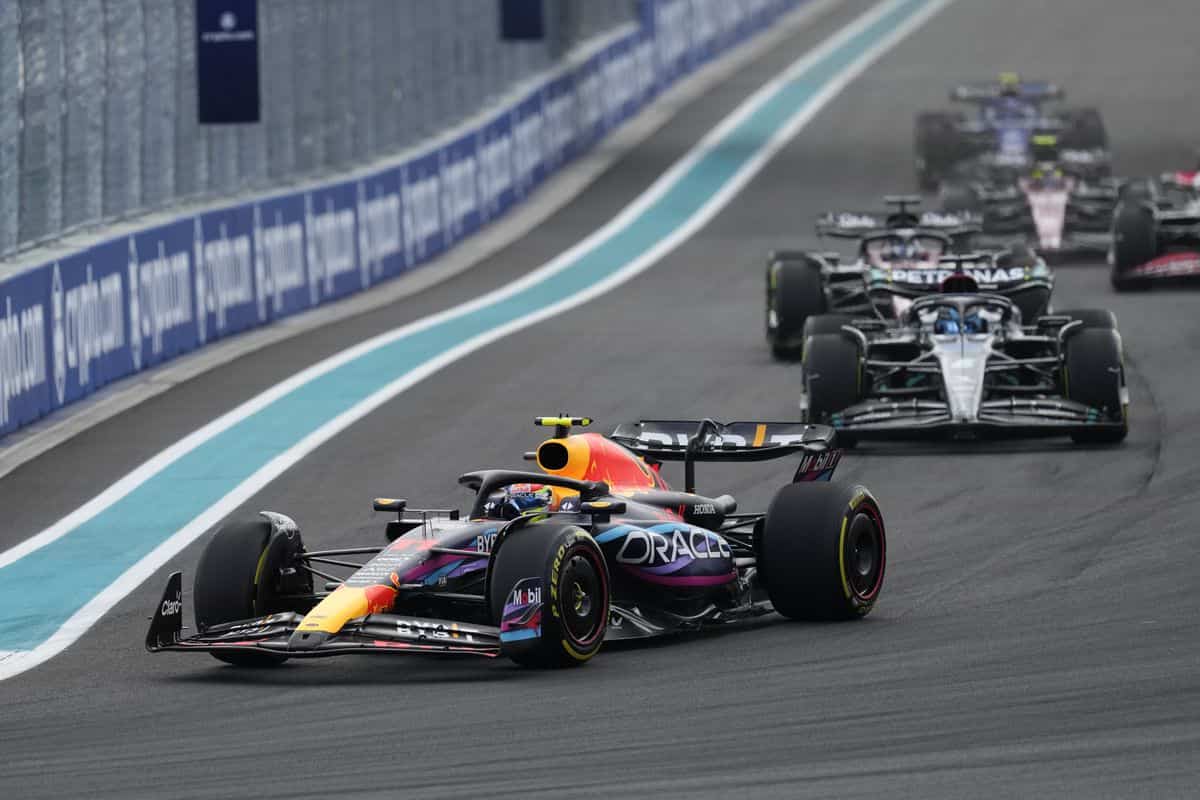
[1156,232]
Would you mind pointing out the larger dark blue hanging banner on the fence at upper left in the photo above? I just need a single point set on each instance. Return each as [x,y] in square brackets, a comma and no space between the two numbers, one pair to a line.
[227,62]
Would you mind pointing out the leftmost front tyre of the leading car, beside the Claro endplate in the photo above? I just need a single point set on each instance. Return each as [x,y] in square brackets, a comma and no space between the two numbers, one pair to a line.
[227,585]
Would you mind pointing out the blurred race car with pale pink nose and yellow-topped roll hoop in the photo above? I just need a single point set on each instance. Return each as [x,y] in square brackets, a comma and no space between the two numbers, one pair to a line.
[1055,206]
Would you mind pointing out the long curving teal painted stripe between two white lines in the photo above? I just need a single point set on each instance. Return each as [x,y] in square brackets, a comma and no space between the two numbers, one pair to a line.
[44,590]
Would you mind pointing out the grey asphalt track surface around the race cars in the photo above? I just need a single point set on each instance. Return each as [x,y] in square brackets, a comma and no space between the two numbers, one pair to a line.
[1039,633]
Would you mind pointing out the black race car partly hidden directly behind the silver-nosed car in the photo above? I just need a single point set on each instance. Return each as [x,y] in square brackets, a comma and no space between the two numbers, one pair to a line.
[901,257]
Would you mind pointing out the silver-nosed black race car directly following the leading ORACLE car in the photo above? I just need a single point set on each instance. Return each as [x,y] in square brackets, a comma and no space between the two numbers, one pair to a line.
[965,365]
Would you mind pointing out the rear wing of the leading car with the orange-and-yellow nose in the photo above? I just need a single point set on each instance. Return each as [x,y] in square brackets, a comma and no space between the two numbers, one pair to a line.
[709,441]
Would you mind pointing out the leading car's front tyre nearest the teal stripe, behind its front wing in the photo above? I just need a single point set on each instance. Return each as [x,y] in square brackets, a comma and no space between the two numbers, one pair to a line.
[239,578]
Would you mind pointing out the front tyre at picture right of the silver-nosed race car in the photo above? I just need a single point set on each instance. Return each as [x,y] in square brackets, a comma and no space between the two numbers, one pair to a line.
[1094,375]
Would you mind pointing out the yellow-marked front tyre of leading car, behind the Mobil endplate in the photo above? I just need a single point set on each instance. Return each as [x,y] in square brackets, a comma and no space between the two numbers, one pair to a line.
[550,593]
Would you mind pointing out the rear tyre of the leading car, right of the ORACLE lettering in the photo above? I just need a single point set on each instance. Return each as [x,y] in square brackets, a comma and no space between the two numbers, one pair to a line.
[824,552]
